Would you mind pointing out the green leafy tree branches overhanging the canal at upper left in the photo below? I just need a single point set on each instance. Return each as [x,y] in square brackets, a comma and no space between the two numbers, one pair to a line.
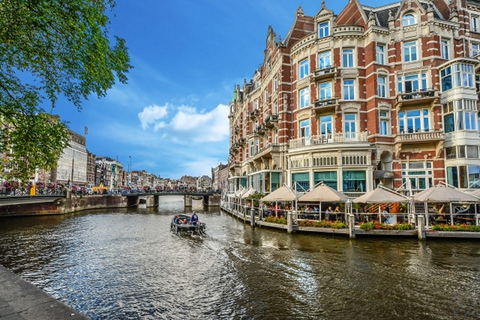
[50,48]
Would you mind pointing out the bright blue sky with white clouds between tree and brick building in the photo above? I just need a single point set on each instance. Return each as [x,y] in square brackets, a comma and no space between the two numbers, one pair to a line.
[171,118]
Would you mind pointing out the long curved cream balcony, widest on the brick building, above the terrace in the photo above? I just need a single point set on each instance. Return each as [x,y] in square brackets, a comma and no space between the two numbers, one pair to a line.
[329,139]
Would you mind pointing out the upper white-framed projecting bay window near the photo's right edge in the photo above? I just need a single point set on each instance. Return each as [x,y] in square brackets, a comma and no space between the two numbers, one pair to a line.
[457,75]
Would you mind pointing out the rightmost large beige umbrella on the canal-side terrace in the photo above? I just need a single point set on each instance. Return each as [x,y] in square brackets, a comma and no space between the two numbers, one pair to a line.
[441,194]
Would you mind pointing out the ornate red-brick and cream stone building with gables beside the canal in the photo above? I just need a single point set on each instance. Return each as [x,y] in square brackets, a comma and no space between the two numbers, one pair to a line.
[371,95]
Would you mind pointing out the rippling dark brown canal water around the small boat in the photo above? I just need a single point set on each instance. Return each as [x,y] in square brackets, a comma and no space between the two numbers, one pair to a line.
[129,265]
